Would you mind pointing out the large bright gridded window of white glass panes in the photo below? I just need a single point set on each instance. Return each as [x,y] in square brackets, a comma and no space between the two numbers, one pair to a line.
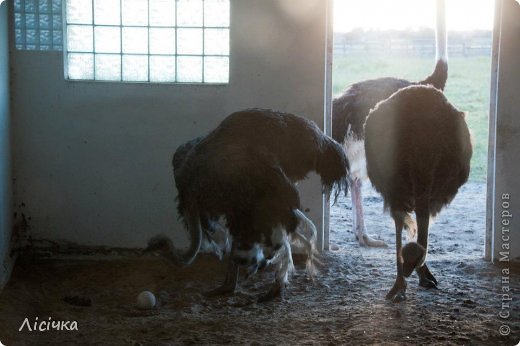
[171,41]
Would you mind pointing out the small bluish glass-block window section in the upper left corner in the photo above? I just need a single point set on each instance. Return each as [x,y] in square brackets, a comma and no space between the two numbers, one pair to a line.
[38,24]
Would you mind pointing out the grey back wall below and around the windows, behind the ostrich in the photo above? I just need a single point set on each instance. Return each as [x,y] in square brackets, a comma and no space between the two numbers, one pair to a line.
[92,159]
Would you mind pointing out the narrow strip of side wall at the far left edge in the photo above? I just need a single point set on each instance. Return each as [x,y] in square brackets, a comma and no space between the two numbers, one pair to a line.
[5,151]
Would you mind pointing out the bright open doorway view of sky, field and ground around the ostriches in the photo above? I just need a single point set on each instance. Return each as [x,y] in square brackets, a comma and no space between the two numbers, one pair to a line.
[376,38]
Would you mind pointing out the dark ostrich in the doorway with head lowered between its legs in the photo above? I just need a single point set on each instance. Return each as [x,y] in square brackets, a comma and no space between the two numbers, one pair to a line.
[418,152]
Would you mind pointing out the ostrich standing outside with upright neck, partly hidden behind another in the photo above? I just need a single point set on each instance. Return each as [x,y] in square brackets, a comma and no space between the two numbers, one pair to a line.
[350,110]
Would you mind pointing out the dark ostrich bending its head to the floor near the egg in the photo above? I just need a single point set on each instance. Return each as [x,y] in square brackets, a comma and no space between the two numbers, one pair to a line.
[245,171]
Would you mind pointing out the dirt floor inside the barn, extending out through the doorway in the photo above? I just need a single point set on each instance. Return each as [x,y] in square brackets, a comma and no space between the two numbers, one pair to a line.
[344,304]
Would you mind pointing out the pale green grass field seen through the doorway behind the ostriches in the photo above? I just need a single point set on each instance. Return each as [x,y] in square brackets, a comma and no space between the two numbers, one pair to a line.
[468,89]
